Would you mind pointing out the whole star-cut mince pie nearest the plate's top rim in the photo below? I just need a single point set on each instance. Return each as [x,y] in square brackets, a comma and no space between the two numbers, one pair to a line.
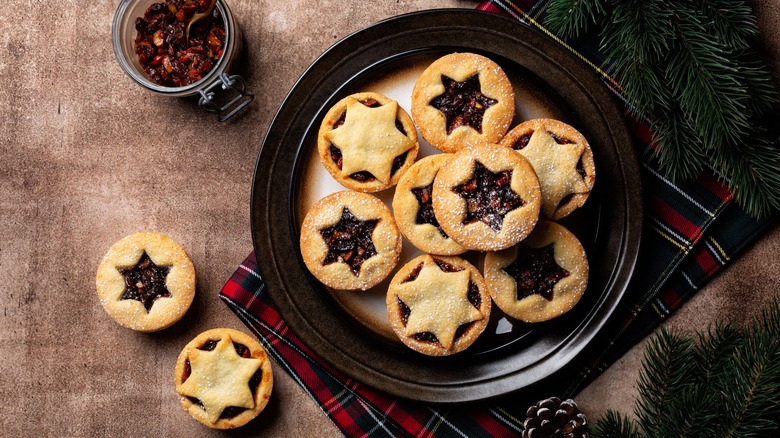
[462,99]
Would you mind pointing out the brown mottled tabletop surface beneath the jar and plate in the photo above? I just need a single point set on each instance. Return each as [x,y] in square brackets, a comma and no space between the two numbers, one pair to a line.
[87,157]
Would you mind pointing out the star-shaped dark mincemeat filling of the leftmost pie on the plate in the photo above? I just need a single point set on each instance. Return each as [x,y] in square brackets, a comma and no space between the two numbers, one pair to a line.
[349,241]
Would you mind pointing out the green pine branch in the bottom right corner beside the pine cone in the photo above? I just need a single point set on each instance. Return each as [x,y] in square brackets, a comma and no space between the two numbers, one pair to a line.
[726,384]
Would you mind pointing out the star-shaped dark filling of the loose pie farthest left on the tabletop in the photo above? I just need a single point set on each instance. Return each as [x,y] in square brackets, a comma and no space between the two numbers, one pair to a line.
[145,282]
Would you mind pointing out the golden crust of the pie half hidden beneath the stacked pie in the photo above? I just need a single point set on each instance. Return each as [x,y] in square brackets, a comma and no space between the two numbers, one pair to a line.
[406,207]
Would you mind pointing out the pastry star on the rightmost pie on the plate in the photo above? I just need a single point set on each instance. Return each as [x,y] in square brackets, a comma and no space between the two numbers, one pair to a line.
[555,162]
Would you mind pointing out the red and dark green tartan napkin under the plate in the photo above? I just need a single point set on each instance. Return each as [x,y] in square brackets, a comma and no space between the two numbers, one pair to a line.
[692,231]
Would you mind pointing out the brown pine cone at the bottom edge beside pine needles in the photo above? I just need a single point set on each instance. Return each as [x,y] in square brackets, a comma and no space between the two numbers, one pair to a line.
[554,418]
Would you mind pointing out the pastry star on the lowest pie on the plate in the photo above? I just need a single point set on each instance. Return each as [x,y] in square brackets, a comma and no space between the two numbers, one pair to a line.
[438,302]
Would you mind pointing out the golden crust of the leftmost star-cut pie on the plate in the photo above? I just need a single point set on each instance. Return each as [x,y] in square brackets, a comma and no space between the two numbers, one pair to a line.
[329,214]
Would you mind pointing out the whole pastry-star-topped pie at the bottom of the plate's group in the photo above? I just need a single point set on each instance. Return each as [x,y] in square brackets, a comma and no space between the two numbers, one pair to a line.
[438,305]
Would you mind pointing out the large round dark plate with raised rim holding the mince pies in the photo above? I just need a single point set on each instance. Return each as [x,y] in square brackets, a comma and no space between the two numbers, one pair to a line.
[504,359]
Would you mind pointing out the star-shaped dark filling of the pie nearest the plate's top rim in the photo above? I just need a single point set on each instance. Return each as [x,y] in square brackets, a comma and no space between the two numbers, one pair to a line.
[462,103]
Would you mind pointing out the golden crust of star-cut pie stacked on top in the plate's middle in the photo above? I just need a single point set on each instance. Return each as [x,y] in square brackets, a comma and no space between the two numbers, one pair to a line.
[453,210]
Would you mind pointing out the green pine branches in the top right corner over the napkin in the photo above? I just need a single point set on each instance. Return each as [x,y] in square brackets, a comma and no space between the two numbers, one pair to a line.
[689,67]
